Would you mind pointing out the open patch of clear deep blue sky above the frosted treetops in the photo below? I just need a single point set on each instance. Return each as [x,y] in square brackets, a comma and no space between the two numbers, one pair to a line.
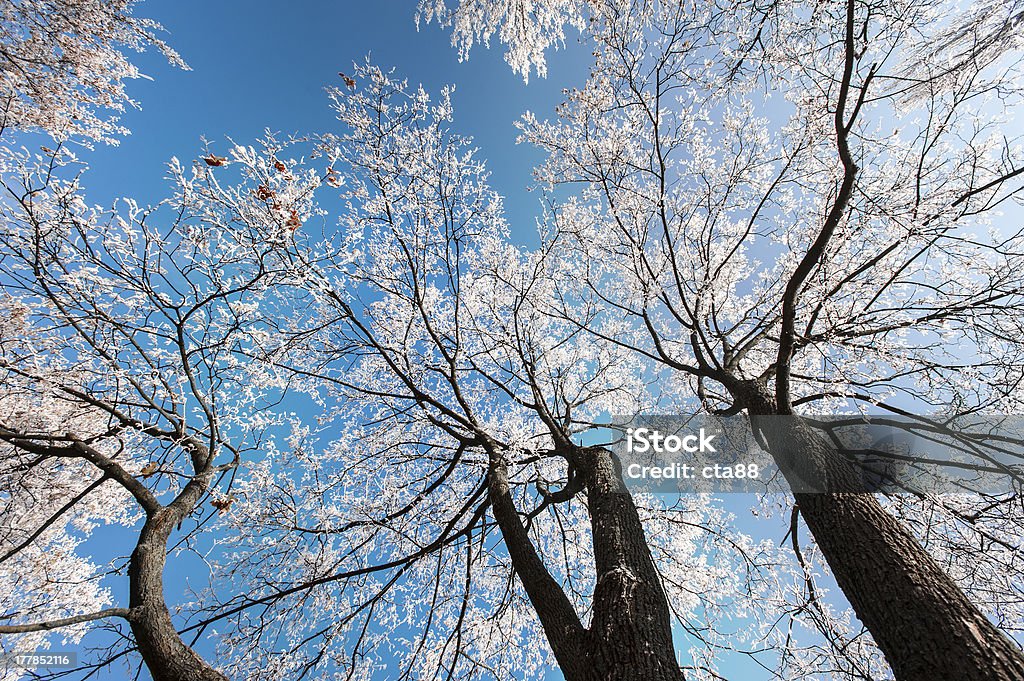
[261,65]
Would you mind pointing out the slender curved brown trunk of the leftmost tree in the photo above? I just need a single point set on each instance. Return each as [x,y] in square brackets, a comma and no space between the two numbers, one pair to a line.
[166,656]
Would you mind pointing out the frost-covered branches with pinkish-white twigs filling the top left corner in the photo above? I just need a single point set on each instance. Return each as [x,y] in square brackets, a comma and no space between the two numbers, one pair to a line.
[63,65]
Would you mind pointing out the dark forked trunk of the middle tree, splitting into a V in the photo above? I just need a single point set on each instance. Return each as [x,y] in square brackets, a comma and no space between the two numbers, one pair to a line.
[630,637]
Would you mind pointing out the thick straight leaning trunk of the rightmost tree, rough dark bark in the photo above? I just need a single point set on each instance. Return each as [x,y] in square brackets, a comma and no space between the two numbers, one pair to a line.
[924,624]
